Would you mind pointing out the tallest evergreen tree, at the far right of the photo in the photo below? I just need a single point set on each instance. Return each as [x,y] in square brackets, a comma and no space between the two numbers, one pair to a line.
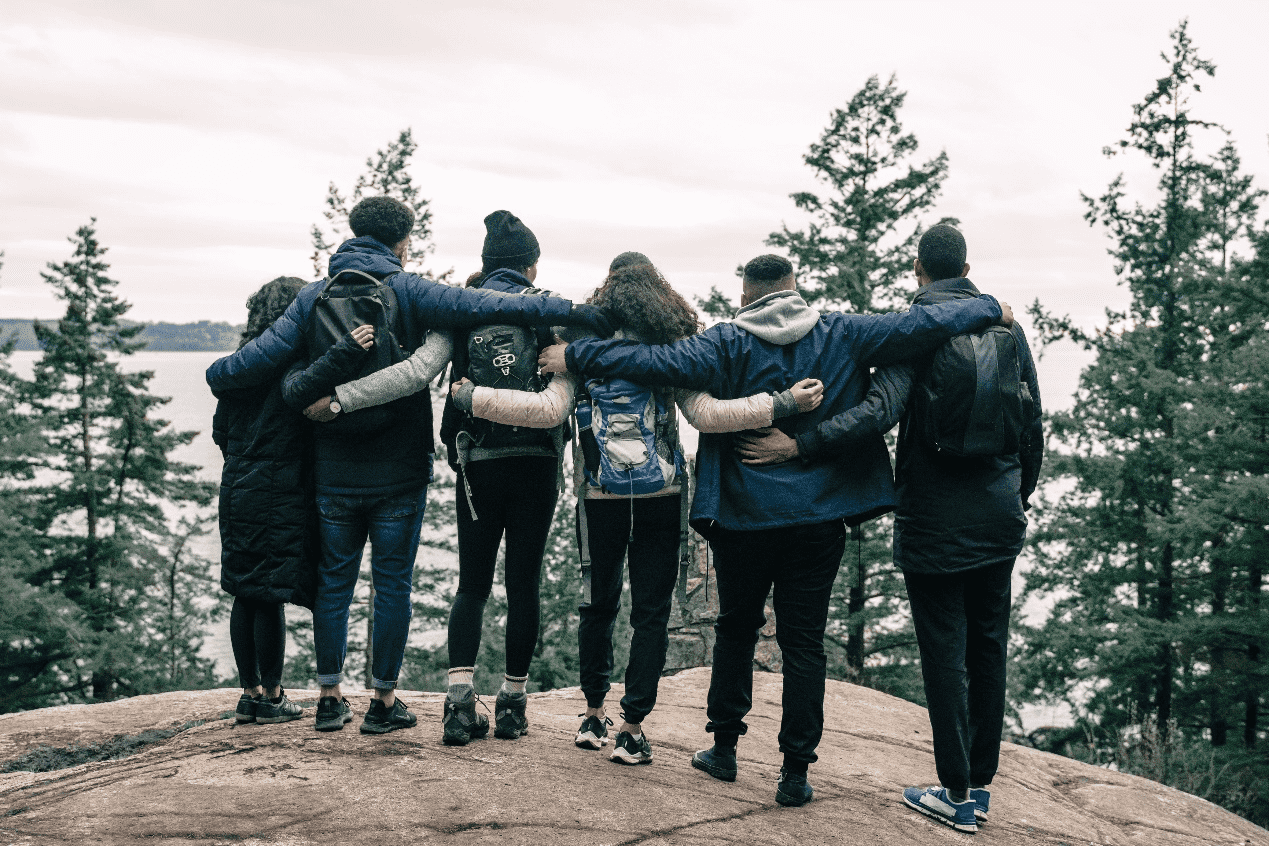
[1138,555]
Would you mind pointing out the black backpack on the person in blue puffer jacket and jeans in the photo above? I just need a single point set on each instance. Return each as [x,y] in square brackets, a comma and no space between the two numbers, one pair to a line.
[352,299]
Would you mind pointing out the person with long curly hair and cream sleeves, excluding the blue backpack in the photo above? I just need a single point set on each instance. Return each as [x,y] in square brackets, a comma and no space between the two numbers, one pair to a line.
[645,530]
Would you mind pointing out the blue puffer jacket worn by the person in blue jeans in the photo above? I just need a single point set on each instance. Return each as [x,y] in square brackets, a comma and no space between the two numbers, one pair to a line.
[399,459]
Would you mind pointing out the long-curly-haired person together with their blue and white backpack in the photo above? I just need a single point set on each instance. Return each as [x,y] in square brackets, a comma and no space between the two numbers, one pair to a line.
[633,489]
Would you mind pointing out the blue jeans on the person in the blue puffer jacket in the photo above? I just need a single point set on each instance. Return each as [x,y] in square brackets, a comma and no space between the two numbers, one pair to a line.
[391,523]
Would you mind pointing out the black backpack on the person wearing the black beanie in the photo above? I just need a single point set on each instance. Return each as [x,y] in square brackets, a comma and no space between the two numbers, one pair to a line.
[501,356]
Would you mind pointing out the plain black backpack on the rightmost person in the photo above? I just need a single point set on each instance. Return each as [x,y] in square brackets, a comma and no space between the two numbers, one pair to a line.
[973,401]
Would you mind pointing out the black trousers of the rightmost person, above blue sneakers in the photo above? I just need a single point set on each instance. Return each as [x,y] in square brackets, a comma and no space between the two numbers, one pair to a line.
[963,628]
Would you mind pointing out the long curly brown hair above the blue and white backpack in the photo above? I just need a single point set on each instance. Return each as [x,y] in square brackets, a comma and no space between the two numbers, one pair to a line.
[638,299]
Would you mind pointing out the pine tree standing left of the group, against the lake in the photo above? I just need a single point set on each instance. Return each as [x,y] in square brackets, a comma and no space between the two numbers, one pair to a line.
[107,493]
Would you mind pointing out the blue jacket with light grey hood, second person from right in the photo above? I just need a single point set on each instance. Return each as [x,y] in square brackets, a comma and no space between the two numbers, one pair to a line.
[772,344]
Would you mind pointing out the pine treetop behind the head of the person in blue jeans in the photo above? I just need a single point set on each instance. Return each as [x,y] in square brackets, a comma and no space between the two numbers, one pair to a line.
[388,174]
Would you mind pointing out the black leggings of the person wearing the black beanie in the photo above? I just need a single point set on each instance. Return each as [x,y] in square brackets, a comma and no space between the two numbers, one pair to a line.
[516,497]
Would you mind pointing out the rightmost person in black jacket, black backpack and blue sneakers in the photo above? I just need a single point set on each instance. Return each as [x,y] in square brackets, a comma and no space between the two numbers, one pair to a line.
[969,459]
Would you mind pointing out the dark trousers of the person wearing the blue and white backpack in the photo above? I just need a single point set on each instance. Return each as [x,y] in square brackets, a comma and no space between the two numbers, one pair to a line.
[653,550]
